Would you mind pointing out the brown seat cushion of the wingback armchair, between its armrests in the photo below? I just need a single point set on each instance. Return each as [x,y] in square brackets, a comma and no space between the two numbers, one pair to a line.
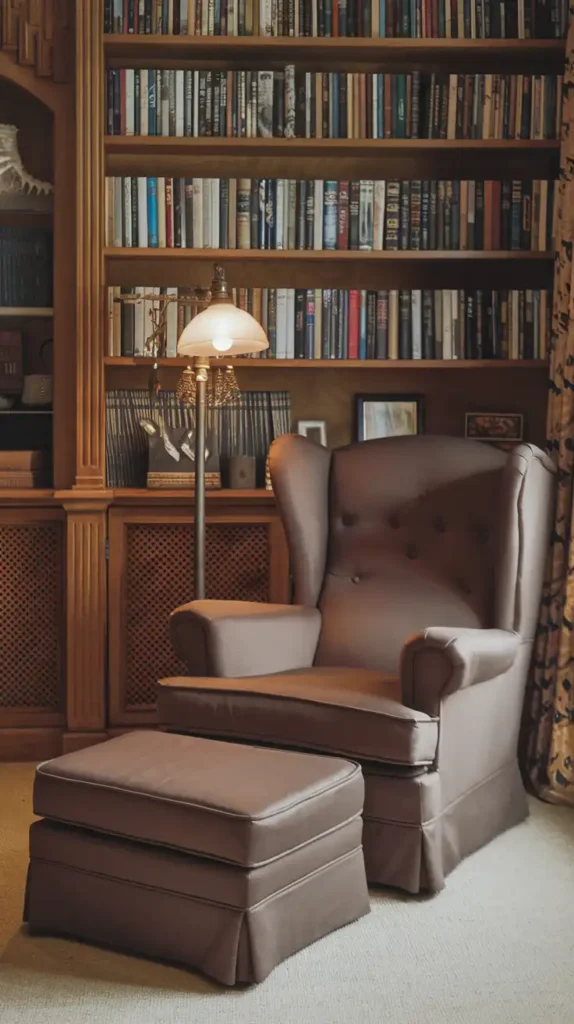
[355,712]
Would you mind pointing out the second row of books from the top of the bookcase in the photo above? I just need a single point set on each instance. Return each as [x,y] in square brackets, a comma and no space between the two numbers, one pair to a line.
[331,105]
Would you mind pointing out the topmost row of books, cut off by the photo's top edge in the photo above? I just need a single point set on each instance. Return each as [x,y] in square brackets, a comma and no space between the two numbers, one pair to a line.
[408,19]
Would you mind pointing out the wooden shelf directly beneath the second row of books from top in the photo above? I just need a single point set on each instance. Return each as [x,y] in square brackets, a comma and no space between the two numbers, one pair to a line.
[310,158]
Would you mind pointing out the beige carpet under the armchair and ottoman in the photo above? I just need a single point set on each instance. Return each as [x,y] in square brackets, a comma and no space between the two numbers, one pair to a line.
[496,948]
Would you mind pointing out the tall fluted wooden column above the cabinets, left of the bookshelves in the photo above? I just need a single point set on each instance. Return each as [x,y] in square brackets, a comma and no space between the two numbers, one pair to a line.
[90,282]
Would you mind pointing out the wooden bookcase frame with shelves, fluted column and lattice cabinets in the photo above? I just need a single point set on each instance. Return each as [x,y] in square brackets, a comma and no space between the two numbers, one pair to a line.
[111,551]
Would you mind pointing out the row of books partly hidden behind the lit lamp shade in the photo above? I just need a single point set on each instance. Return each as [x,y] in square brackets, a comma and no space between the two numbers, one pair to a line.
[333,324]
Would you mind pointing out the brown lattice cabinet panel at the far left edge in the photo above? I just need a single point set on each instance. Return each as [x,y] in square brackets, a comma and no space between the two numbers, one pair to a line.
[32,616]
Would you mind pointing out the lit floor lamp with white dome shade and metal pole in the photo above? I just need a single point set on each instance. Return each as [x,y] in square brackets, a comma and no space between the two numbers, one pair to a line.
[219,330]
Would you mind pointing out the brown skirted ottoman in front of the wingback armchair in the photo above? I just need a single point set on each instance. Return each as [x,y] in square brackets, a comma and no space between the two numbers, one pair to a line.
[220,857]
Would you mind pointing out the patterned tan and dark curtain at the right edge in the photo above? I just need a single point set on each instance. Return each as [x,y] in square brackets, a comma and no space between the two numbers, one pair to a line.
[549,749]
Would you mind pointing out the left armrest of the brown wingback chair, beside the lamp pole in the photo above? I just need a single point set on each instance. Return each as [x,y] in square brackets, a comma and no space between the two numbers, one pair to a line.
[244,638]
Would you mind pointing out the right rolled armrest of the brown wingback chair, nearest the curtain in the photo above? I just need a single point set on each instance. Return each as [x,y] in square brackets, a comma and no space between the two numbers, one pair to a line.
[441,661]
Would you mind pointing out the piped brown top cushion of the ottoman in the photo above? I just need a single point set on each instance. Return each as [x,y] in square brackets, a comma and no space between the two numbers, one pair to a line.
[238,804]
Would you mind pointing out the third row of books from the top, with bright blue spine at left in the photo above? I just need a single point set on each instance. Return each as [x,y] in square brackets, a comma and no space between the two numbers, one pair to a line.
[284,215]
